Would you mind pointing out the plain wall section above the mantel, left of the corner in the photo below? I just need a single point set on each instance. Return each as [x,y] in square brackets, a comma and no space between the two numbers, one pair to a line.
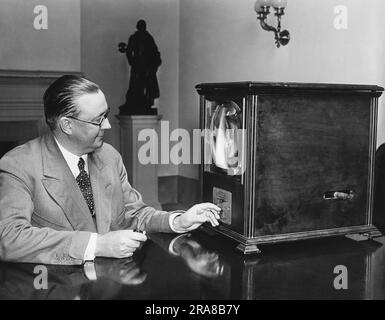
[56,48]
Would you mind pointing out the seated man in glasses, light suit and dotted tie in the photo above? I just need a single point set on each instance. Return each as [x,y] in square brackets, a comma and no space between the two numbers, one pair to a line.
[65,197]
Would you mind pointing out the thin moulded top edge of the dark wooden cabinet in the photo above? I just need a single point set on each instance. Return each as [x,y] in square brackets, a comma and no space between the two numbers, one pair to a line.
[279,86]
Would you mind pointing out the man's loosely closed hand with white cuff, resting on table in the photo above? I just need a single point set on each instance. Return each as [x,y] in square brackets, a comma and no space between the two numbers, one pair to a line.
[118,244]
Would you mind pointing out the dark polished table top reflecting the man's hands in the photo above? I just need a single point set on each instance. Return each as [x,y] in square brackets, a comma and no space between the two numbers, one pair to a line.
[204,265]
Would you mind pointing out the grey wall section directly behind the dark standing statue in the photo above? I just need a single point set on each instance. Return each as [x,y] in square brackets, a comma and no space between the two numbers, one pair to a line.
[104,25]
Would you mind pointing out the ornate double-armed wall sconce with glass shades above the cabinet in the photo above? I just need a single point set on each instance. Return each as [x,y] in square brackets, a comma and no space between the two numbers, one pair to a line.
[262,8]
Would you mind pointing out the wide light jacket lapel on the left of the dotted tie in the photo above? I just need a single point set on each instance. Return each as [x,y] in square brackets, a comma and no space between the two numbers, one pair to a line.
[60,183]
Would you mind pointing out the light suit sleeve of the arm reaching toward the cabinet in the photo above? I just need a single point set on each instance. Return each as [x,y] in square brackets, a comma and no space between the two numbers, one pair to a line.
[137,215]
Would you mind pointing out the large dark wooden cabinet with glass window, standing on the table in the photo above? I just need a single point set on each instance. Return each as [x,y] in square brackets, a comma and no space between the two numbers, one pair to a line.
[308,157]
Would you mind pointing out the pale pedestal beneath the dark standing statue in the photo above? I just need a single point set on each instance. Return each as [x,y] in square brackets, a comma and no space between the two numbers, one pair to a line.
[143,177]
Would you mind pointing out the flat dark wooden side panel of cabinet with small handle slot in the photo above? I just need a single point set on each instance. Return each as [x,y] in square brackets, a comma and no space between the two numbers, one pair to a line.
[309,146]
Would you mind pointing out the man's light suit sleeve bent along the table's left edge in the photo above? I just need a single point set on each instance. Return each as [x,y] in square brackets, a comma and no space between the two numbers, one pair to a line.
[19,240]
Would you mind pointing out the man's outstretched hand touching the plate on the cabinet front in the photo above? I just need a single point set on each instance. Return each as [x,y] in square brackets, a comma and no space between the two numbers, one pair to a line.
[196,215]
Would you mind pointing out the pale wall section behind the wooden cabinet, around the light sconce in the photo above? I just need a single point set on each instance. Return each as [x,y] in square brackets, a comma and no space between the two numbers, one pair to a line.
[221,40]
